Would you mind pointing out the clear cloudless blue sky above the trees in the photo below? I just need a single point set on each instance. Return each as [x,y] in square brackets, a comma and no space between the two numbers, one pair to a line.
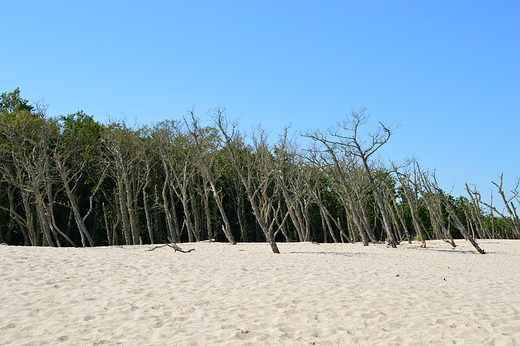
[447,71]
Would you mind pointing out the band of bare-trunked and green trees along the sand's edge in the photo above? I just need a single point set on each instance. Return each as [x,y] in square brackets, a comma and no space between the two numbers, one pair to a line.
[72,181]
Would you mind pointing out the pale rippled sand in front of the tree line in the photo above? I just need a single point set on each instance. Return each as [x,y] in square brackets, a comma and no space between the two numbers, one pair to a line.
[219,294]
